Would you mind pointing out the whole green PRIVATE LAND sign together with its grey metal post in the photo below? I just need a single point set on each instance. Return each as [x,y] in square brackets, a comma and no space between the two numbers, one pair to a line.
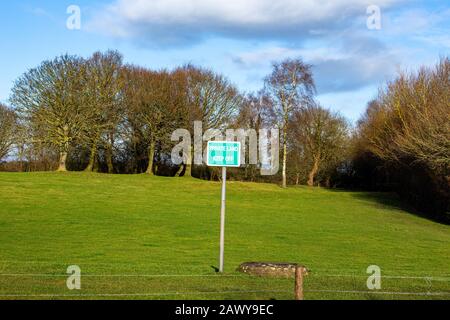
[223,154]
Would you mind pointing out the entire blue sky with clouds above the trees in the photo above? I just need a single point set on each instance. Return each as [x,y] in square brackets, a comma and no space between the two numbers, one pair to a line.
[237,38]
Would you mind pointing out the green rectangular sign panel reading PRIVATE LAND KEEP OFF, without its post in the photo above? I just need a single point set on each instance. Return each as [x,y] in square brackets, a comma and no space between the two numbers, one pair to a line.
[224,154]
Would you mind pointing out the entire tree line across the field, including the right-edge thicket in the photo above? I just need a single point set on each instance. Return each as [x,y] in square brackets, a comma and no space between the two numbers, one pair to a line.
[98,114]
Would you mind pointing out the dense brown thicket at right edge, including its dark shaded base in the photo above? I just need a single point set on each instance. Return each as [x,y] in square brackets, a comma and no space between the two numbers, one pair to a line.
[403,141]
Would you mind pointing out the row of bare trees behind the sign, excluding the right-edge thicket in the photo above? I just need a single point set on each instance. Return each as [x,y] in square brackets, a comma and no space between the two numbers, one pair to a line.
[98,114]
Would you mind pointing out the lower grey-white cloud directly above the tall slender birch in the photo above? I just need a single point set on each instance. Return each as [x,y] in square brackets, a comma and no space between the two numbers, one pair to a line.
[339,64]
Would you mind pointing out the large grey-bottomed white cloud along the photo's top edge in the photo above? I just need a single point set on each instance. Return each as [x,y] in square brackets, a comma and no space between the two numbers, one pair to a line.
[175,22]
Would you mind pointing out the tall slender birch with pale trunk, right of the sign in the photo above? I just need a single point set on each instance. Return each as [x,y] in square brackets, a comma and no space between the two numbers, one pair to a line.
[291,86]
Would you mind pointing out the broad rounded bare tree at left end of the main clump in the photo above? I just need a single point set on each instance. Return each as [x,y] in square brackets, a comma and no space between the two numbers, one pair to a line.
[48,98]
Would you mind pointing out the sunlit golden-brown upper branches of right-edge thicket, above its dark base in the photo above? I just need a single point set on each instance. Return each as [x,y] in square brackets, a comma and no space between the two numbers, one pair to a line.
[410,120]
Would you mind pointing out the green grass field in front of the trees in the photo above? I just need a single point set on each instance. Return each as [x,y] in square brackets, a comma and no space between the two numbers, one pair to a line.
[141,237]
